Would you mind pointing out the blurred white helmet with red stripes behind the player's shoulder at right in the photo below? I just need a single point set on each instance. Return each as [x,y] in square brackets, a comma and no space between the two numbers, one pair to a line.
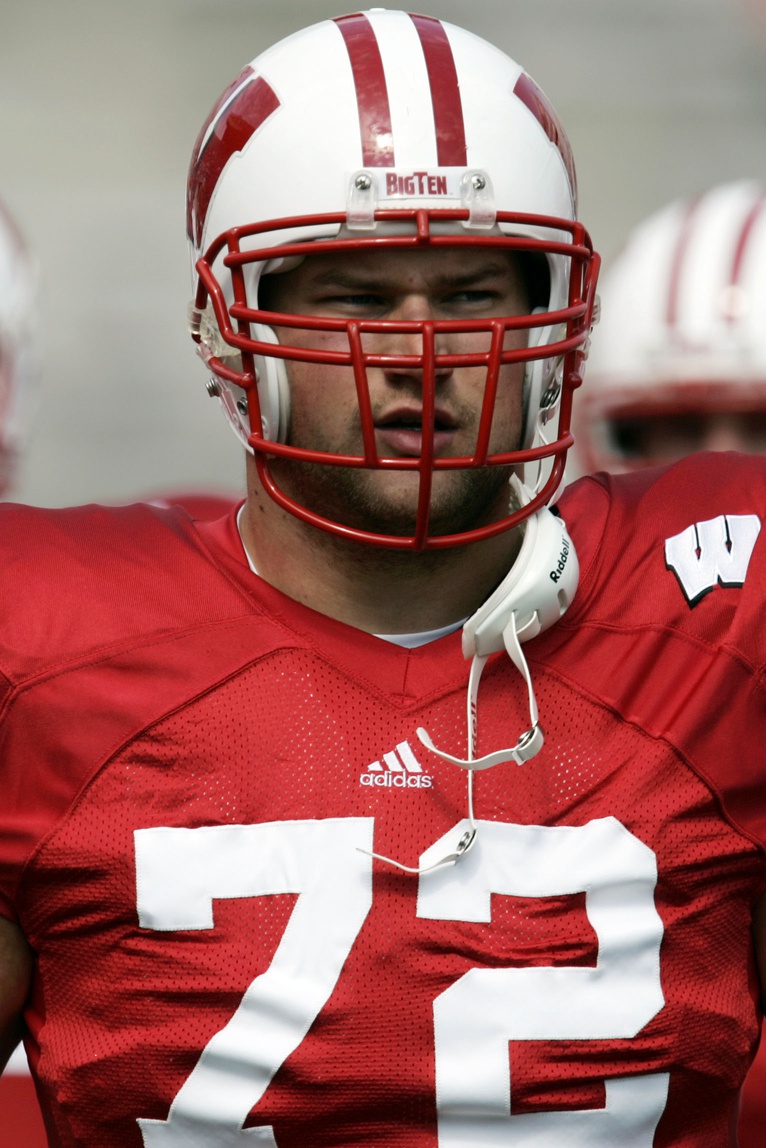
[683,331]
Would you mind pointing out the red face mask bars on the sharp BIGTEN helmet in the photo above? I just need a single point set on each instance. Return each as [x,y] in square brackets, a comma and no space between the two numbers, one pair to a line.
[235,324]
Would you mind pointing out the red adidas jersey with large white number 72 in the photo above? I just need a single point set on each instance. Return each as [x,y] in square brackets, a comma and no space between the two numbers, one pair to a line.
[197,769]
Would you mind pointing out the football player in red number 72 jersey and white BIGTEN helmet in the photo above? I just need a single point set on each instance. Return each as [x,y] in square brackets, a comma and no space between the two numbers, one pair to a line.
[345,819]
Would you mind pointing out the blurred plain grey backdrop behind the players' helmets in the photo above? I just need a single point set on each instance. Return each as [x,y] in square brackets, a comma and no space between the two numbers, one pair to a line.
[100,105]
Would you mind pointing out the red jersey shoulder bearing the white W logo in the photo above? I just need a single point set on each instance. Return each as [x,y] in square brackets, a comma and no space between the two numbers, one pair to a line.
[659,544]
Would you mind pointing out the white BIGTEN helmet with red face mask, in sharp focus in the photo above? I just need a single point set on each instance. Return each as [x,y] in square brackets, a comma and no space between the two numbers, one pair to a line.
[375,129]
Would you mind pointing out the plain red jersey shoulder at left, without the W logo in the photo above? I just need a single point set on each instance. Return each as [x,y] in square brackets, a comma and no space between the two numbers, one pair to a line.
[89,577]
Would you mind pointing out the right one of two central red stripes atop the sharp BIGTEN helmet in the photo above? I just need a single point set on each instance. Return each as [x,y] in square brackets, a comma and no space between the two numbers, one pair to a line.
[452,151]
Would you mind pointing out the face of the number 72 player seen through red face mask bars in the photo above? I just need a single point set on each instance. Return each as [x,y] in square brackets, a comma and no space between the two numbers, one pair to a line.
[436,284]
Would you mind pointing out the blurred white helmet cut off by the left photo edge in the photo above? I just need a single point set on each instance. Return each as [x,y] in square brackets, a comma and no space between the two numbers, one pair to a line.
[18,346]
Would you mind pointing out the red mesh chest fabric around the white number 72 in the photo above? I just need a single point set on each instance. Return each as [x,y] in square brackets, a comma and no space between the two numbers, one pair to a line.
[291,739]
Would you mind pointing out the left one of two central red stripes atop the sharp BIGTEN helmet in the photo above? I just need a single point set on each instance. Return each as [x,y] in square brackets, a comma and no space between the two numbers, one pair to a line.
[372,91]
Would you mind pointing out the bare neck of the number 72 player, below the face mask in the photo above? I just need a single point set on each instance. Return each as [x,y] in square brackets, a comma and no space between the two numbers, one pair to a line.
[378,591]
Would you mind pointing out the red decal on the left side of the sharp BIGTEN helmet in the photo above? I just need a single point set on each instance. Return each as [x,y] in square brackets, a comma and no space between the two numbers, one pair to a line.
[235,121]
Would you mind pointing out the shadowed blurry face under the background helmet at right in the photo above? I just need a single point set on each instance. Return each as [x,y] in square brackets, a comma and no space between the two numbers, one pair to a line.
[669,438]
